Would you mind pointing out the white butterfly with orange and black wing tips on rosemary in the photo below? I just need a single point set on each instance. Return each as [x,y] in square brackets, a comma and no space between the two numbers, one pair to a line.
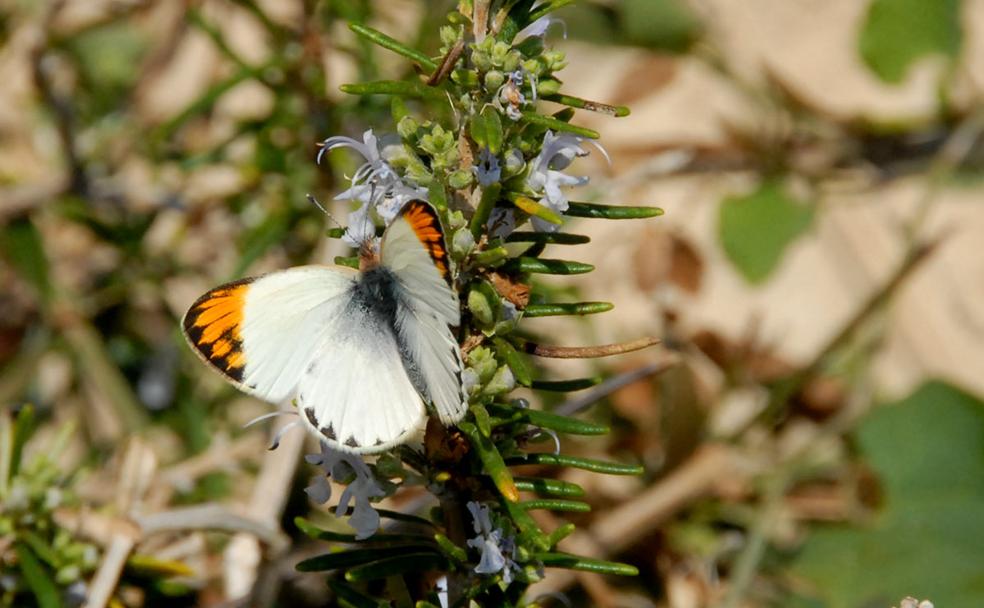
[360,352]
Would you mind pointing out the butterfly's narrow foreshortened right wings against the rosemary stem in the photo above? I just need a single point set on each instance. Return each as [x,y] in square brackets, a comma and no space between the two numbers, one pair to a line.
[414,251]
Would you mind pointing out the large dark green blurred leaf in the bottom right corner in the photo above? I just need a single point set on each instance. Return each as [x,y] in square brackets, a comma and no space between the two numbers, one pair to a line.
[929,452]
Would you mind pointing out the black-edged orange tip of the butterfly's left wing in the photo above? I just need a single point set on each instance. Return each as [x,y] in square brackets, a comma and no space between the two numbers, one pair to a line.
[213,325]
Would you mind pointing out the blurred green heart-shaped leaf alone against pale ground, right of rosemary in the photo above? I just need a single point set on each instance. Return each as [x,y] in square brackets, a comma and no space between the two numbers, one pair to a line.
[755,229]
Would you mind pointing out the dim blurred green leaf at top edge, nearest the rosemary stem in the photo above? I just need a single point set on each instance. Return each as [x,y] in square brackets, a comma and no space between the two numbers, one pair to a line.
[667,25]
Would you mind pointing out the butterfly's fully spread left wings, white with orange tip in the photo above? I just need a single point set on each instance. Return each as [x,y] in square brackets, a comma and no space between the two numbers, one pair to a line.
[296,334]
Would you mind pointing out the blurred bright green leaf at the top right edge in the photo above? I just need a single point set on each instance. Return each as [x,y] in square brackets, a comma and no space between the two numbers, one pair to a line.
[896,33]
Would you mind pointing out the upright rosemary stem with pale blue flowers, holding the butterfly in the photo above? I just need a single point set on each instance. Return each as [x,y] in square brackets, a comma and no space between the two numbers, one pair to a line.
[471,139]
